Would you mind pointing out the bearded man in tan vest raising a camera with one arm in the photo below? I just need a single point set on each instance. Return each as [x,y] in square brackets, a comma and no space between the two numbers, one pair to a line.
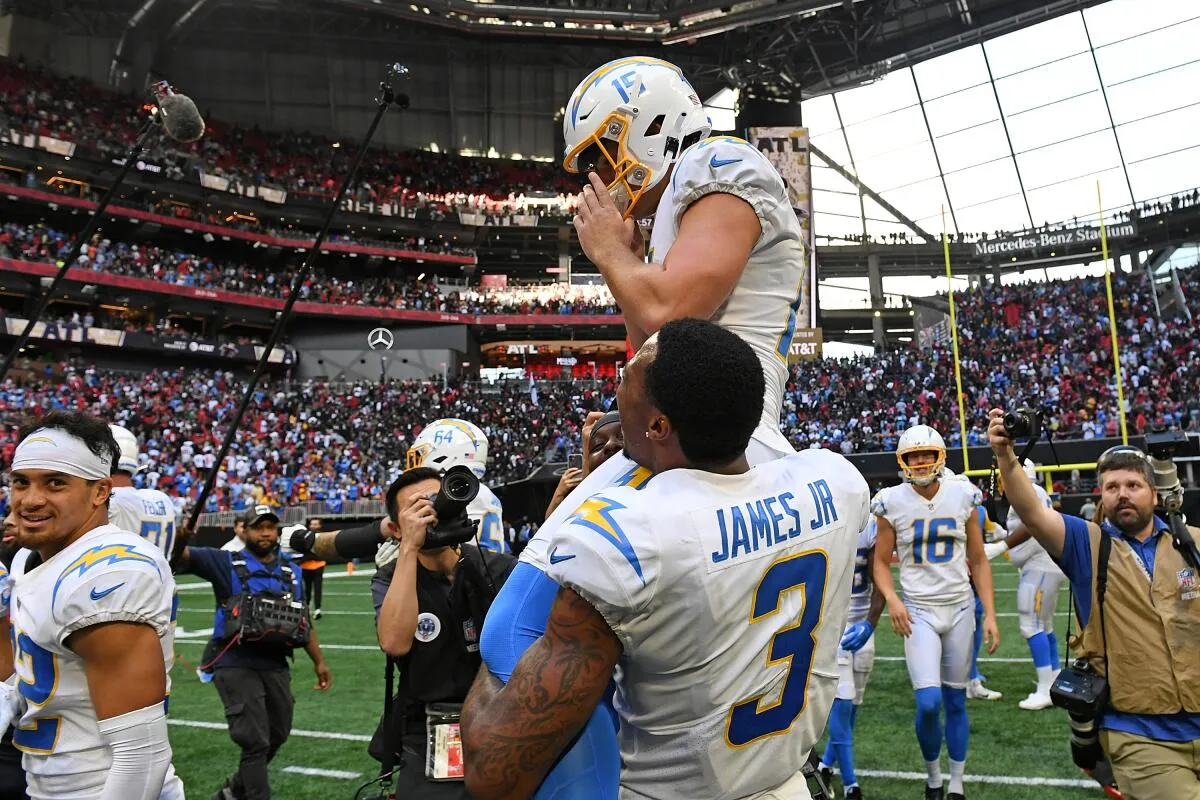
[1138,601]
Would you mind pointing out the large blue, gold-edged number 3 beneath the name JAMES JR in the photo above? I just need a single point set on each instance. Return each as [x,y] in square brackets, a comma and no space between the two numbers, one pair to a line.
[791,646]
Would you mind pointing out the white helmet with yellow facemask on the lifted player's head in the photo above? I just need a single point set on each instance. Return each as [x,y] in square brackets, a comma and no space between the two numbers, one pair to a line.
[638,113]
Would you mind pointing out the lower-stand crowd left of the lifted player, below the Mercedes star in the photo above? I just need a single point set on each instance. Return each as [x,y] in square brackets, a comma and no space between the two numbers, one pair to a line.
[302,442]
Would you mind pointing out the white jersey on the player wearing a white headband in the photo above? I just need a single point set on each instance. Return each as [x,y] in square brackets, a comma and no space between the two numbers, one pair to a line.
[105,576]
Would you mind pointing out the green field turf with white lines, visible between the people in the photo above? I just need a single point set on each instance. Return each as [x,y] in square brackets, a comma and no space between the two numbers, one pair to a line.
[332,729]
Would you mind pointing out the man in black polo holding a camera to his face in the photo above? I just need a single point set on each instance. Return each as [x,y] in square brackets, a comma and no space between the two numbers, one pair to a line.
[430,607]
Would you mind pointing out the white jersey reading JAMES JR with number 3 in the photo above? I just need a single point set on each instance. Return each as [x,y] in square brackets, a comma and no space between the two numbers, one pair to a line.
[729,594]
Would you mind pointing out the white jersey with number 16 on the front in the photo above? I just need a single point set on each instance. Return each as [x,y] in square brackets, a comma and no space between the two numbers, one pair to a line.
[932,540]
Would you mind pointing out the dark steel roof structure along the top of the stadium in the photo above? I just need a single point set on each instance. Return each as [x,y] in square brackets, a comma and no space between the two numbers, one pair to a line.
[788,47]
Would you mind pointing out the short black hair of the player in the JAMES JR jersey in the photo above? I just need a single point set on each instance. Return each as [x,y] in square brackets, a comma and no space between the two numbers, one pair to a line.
[710,384]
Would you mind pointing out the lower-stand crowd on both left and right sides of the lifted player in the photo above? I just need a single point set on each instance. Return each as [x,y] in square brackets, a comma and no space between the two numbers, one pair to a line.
[1041,342]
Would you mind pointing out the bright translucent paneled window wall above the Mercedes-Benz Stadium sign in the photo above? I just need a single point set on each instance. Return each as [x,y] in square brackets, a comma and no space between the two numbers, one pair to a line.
[1016,133]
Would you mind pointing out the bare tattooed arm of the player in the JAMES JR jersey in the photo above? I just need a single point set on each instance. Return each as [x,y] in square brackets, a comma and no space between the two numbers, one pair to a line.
[513,738]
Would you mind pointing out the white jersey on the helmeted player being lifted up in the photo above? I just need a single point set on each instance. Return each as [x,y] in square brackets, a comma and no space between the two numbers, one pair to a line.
[765,306]
